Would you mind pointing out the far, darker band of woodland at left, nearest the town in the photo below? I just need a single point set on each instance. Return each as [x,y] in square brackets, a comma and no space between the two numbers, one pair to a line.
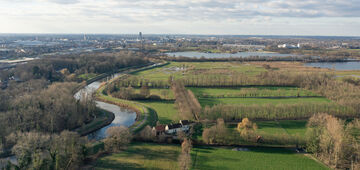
[67,68]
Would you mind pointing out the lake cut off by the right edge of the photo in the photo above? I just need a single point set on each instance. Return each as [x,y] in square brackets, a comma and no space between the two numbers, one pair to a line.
[336,65]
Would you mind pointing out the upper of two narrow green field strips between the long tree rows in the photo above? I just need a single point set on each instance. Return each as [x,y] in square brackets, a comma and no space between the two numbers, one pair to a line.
[253,91]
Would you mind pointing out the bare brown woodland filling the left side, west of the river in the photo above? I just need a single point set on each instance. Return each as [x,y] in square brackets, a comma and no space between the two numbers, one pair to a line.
[38,109]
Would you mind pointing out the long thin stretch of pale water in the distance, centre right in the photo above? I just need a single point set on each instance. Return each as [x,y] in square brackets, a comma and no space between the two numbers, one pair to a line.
[227,55]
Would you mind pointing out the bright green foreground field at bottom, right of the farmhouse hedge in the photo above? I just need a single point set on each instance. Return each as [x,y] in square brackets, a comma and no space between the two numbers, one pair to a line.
[257,158]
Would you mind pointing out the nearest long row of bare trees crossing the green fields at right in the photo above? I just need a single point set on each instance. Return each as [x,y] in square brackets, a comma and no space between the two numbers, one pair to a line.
[273,112]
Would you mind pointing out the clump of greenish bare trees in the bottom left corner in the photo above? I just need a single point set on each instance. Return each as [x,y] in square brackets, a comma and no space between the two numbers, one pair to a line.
[36,150]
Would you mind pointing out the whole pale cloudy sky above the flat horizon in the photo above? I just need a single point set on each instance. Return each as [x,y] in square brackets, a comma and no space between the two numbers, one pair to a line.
[221,17]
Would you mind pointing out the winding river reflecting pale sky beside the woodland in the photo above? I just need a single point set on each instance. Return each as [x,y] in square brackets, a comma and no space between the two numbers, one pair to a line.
[123,116]
